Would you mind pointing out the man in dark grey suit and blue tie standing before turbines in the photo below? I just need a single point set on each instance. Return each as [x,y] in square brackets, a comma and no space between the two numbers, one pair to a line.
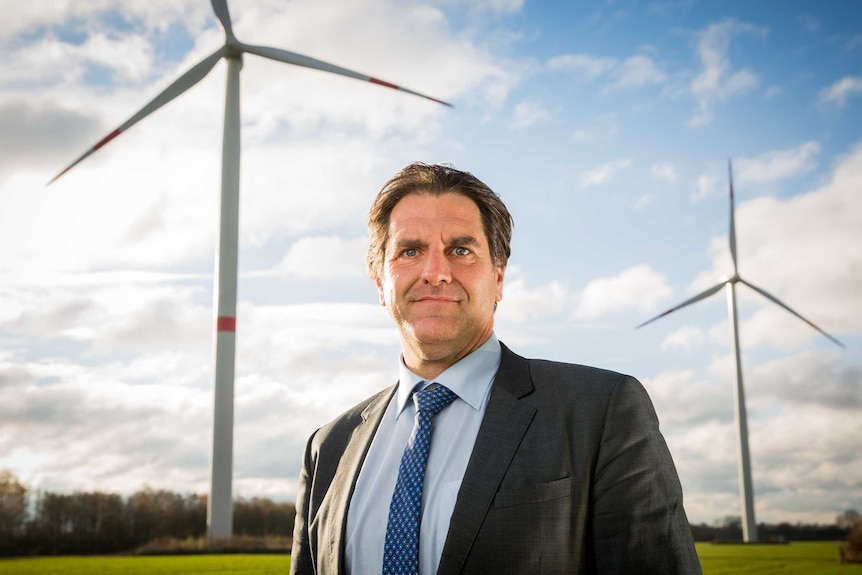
[534,466]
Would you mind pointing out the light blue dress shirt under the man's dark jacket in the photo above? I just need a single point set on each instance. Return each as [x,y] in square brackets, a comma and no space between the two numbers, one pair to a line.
[452,440]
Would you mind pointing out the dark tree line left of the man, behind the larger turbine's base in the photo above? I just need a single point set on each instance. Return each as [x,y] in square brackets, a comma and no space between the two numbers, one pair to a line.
[97,523]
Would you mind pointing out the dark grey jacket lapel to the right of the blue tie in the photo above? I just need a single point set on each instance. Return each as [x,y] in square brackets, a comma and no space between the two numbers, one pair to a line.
[504,425]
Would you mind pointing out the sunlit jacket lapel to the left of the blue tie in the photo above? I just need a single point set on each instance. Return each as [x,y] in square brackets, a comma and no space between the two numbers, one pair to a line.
[343,483]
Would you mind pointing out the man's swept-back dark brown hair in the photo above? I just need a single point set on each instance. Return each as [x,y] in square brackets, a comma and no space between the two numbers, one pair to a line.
[436,180]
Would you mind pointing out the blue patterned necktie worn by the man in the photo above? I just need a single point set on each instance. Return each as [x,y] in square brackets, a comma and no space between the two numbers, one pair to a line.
[401,550]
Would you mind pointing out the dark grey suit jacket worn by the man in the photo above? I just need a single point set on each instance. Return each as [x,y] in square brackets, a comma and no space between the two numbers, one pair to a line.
[569,474]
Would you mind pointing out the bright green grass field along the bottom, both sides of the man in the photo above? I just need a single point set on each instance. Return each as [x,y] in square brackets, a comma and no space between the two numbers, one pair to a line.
[792,559]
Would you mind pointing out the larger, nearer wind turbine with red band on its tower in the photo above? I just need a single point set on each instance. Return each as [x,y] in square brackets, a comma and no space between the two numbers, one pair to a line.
[220,509]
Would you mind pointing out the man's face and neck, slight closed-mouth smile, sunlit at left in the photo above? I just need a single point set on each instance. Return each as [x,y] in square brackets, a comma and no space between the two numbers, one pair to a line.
[439,281]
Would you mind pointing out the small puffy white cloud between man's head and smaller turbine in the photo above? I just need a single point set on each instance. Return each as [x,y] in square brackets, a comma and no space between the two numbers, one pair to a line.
[637,288]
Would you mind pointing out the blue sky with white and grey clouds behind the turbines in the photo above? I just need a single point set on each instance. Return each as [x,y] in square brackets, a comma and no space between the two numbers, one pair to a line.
[606,127]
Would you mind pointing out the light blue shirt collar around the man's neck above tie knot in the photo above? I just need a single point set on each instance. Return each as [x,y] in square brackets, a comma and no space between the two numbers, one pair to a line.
[469,378]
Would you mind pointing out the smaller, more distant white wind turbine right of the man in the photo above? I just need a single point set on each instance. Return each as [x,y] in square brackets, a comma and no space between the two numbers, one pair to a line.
[749,527]
